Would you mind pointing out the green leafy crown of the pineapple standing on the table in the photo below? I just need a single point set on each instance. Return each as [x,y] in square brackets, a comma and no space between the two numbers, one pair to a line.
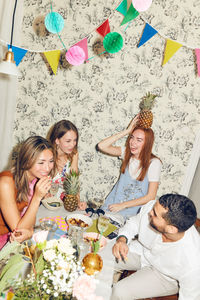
[71,183]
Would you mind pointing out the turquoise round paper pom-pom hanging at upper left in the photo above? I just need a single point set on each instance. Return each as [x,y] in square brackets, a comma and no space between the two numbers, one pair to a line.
[54,22]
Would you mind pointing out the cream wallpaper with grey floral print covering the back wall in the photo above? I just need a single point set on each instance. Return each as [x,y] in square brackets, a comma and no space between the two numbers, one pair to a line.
[102,96]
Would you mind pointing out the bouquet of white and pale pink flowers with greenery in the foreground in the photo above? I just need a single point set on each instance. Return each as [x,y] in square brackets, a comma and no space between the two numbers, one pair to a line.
[56,273]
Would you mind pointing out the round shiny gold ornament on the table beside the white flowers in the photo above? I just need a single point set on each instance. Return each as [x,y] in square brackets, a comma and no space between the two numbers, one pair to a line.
[92,263]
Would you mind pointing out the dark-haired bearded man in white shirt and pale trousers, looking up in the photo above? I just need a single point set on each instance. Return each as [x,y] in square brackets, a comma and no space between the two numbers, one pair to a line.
[166,254]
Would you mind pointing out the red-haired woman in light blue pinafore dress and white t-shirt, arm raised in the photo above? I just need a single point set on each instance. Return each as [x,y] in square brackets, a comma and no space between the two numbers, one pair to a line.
[140,170]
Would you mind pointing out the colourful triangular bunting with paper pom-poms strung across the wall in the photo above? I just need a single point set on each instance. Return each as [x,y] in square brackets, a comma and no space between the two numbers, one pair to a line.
[112,42]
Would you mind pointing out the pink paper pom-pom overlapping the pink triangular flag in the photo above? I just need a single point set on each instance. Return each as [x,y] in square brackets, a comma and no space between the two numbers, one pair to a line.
[75,56]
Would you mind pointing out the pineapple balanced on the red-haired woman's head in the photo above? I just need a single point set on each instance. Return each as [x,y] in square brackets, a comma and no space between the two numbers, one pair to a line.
[146,116]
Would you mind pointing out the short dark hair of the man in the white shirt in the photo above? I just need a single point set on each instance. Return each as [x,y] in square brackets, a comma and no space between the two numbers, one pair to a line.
[181,211]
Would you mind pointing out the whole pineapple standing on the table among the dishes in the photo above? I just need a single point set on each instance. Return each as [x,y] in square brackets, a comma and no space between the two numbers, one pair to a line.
[71,187]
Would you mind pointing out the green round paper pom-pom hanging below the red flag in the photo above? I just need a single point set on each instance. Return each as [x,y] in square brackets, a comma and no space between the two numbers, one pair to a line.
[113,42]
